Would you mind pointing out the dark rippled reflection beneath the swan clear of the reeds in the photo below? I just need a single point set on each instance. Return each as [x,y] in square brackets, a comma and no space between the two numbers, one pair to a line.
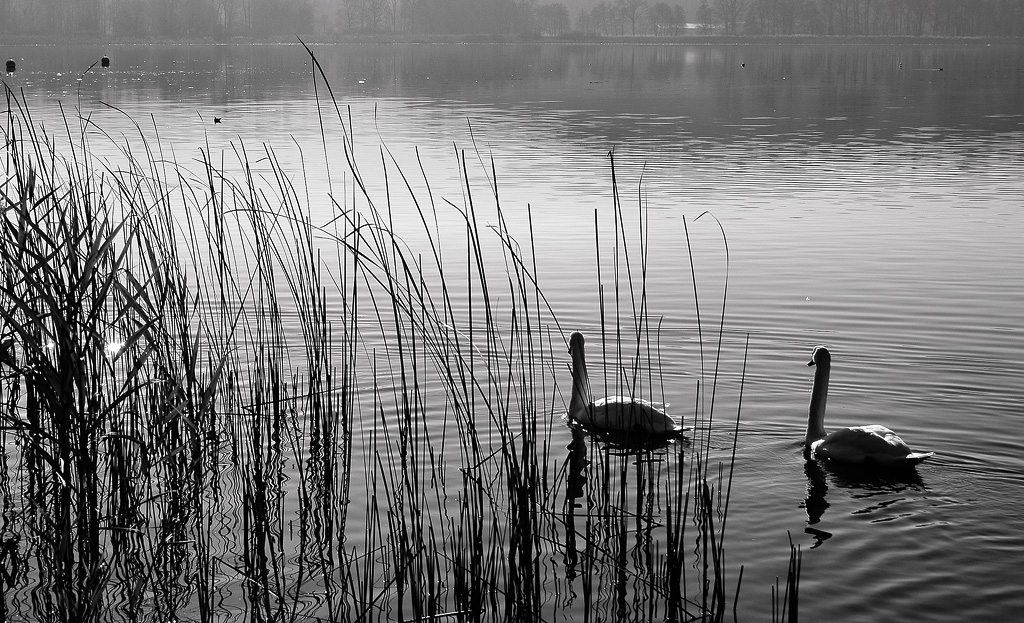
[863,483]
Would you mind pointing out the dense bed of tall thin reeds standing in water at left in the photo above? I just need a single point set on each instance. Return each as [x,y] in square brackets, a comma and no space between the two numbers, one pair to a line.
[216,409]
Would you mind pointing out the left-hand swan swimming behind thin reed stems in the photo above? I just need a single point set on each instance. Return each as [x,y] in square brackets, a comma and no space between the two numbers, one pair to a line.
[615,413]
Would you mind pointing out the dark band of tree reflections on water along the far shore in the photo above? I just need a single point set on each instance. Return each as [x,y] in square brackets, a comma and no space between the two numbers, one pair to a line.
[673,94]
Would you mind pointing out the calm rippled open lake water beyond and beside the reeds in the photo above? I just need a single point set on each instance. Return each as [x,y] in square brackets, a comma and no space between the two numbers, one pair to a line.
[872,197]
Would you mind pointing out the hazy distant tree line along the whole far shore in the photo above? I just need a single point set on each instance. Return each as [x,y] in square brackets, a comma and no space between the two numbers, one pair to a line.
[227,19]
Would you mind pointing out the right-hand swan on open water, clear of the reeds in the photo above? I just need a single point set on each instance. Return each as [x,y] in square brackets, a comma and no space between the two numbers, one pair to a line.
[861,445]
